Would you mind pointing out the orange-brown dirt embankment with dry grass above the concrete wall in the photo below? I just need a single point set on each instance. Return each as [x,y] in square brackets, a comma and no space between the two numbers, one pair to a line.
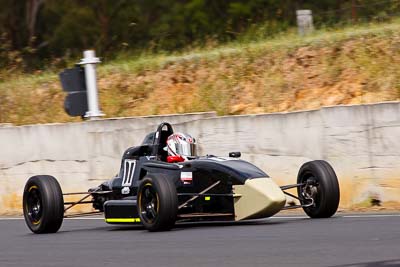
[248,79]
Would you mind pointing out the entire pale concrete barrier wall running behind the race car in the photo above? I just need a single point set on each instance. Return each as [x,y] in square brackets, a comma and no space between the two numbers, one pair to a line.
[361,142]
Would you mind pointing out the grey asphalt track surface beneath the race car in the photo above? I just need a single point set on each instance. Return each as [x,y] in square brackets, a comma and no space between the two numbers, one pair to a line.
[346,240]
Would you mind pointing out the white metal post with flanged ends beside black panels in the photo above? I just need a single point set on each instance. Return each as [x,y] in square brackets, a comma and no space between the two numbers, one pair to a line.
[89,62]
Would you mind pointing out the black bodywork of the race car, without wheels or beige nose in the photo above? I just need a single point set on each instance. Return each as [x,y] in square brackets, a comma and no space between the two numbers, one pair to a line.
[203,184]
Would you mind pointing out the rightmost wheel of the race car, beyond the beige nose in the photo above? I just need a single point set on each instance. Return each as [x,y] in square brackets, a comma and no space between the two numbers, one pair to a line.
[320,189]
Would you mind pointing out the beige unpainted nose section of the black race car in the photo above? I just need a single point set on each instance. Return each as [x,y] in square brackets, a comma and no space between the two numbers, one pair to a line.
[257,198]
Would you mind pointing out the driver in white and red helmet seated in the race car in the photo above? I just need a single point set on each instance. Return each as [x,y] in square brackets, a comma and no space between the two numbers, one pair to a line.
[180,147]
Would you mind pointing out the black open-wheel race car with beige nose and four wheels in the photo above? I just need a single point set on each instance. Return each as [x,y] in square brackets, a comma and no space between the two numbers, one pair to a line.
[157,190]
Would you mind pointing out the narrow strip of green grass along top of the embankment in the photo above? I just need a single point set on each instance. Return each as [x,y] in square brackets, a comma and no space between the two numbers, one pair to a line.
[286,41]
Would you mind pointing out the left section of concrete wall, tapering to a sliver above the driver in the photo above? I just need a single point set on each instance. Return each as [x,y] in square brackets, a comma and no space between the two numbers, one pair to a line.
[79,155]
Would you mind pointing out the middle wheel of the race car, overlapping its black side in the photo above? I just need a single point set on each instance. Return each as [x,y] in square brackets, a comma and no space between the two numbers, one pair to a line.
[157,202]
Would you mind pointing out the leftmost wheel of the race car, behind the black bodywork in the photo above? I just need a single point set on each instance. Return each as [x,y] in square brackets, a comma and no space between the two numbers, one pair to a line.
[43,204]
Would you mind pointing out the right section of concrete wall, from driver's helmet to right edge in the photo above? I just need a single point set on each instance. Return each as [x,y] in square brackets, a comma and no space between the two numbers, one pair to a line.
[361,142]
